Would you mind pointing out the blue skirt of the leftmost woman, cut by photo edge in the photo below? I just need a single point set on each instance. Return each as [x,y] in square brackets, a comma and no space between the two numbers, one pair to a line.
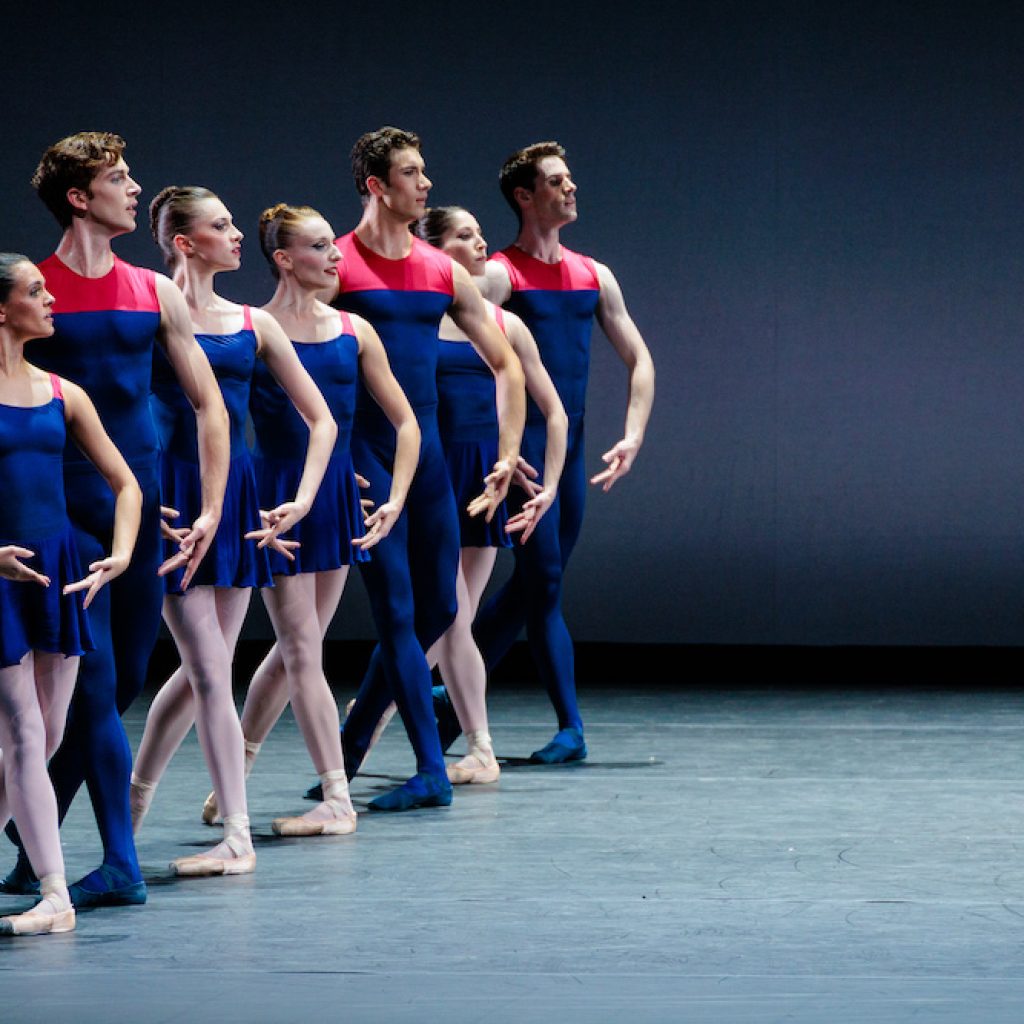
[35,618]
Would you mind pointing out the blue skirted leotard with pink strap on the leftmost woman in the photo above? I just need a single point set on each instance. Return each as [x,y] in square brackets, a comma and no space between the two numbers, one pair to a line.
[34,516]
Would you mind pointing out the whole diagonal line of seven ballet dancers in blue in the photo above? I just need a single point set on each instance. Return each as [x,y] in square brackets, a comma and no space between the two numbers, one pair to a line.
[389,401]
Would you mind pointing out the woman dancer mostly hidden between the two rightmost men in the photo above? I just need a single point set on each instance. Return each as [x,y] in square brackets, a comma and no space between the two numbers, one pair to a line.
[470,433]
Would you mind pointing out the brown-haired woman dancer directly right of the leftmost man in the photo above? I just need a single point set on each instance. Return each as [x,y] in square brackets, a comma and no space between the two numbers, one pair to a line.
[199,240]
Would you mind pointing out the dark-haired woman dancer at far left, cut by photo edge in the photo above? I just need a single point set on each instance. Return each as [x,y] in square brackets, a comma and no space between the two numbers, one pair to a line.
[44,627]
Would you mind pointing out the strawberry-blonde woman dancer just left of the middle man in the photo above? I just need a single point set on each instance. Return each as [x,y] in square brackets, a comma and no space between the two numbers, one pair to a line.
[335,348]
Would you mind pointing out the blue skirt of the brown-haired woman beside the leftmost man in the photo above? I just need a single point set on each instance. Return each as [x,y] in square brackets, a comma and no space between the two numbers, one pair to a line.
[232,561]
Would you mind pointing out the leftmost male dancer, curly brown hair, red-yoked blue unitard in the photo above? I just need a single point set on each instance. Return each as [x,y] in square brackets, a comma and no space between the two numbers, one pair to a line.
[107,316]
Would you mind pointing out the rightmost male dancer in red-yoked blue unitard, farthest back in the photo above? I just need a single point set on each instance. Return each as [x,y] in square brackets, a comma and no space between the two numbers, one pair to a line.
[558,292]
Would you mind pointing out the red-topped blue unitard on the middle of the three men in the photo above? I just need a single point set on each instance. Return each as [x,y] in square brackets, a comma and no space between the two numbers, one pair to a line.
[411,577]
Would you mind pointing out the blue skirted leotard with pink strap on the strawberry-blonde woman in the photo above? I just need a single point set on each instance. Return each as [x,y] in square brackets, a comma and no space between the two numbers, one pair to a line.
[327,532]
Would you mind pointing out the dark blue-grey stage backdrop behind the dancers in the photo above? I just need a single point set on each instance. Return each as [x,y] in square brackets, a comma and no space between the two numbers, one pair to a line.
[815,211]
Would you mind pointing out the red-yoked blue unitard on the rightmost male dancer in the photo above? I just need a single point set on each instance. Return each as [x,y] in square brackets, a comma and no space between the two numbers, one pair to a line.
[558,302]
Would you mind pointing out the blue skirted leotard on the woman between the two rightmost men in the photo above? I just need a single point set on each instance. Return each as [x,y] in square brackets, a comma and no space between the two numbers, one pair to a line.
[467,417]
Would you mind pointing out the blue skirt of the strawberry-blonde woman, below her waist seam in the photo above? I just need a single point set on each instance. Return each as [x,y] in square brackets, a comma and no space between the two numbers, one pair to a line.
[326,534]
